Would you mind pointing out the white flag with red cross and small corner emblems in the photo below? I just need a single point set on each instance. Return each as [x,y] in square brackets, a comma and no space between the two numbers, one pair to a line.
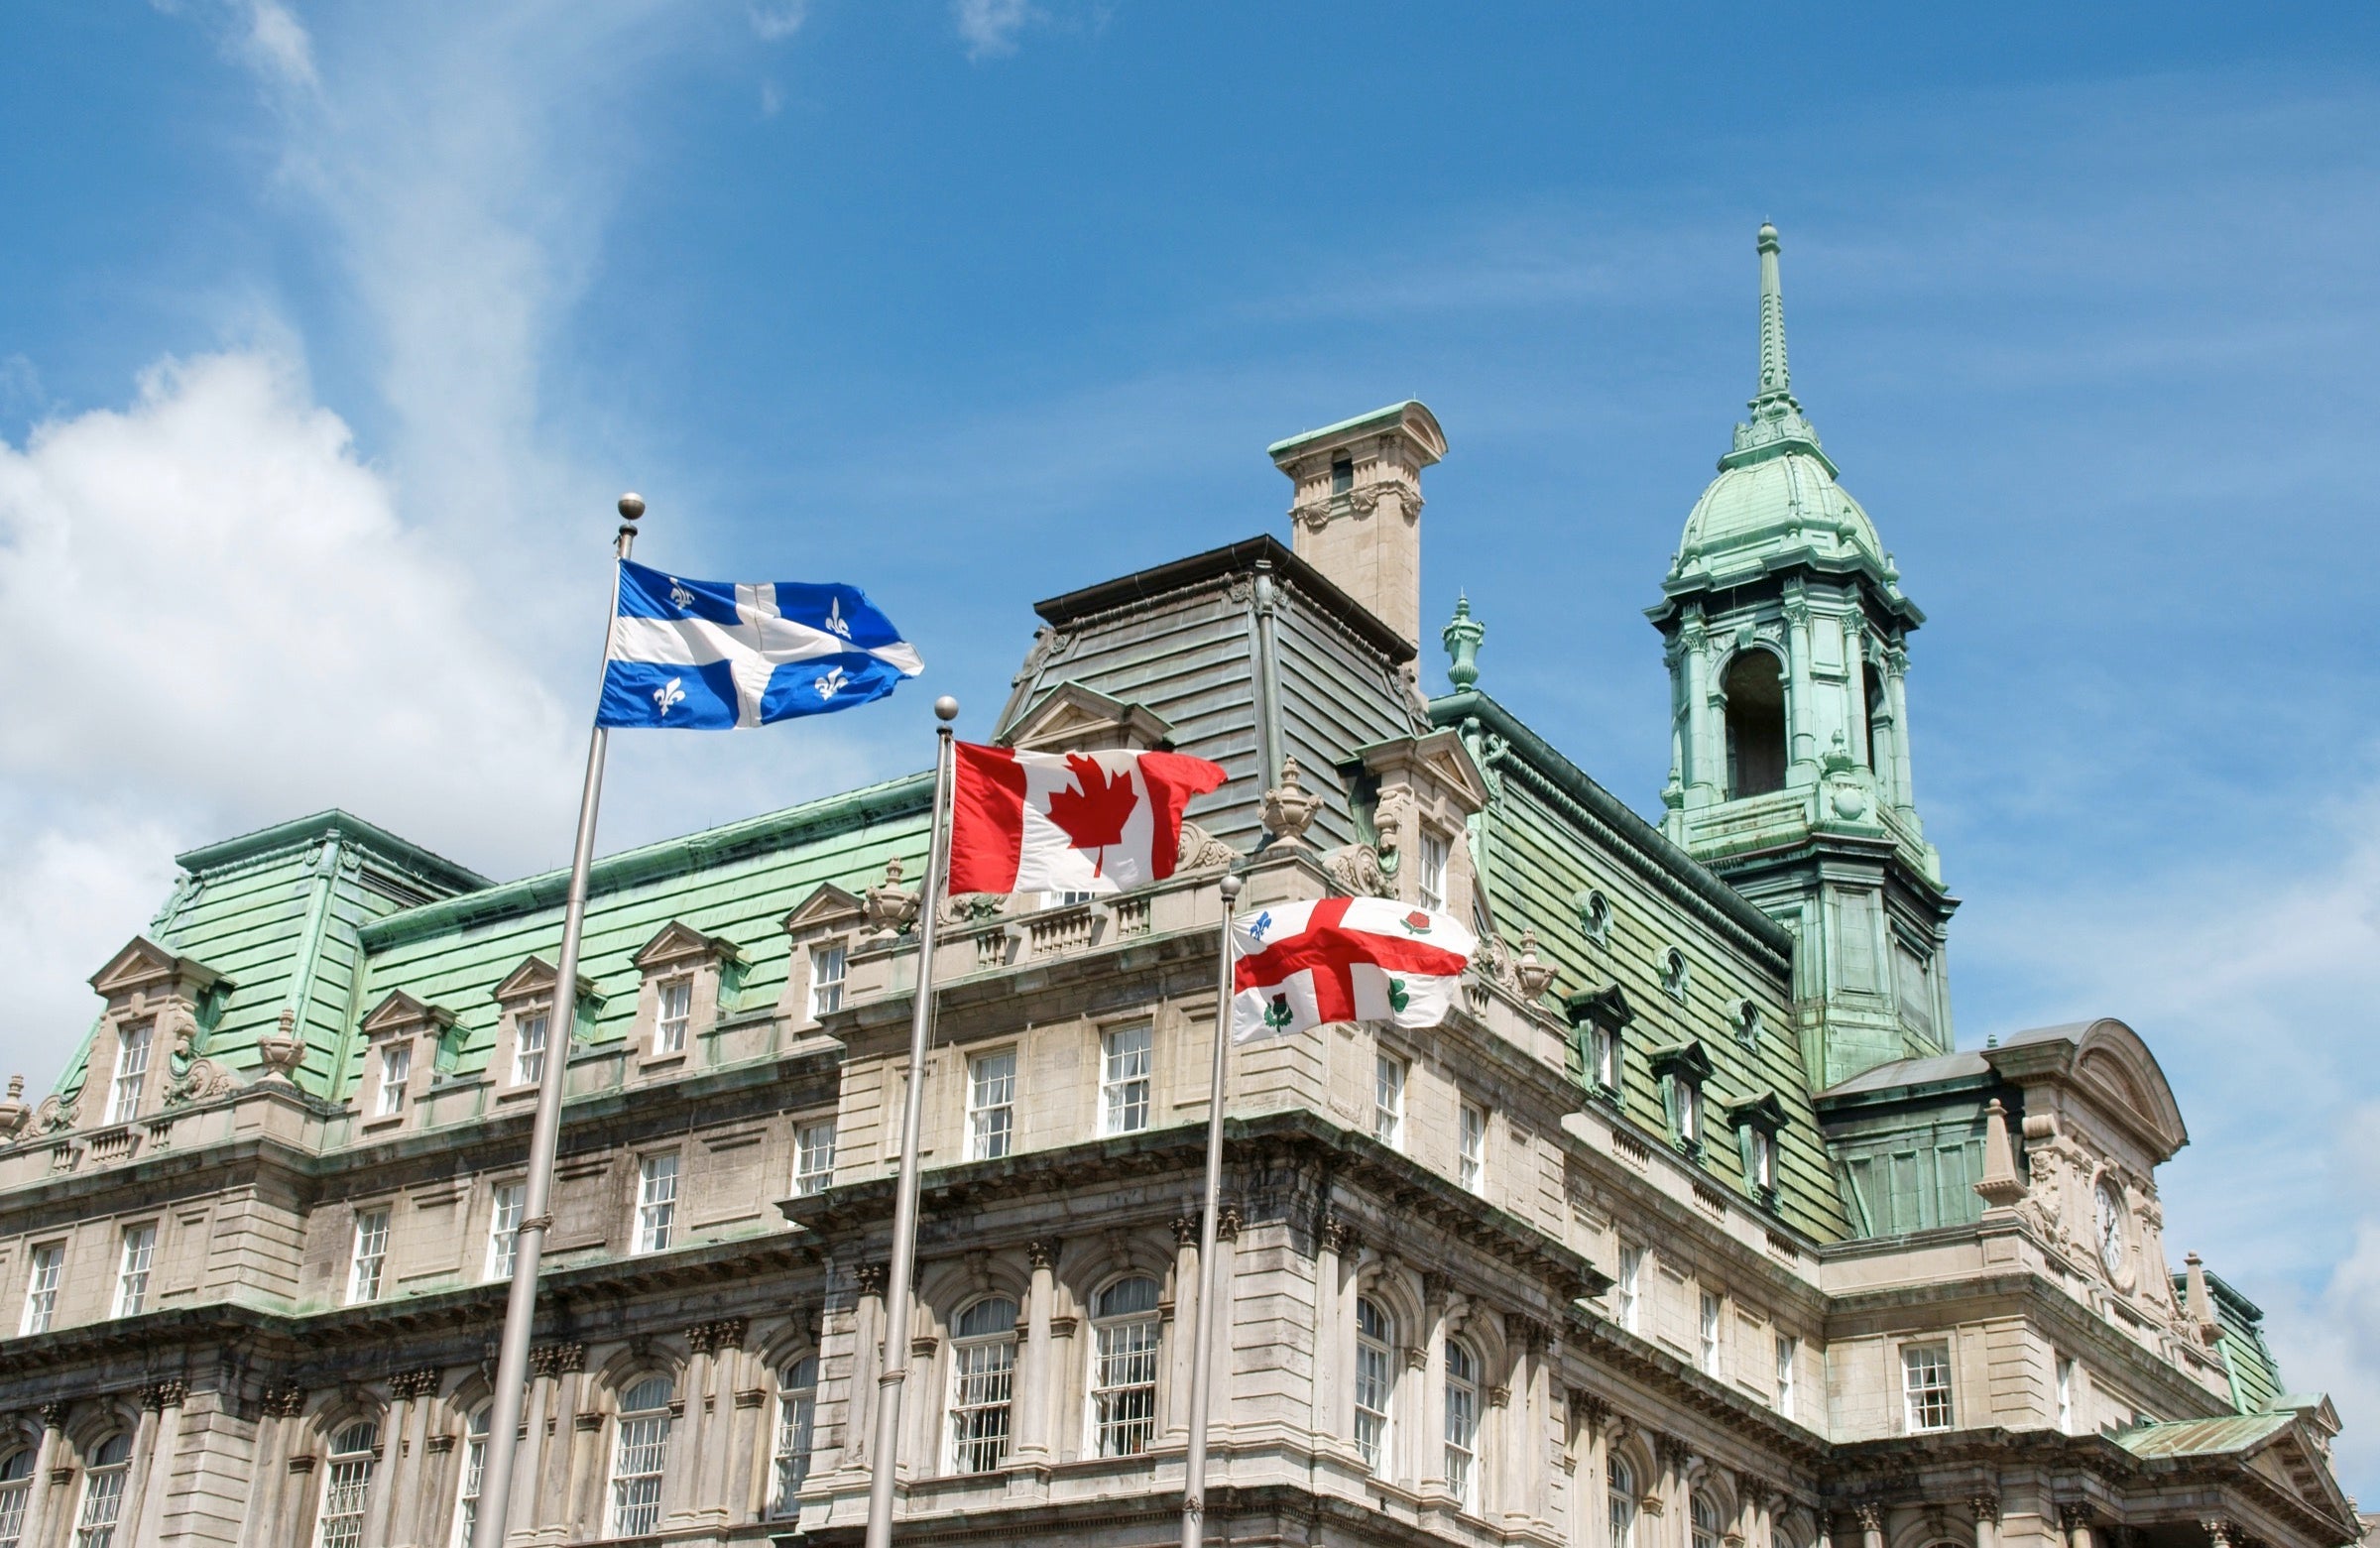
[1346,961]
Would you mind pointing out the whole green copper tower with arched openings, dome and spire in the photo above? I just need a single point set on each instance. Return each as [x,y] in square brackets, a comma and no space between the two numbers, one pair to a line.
[1786,639]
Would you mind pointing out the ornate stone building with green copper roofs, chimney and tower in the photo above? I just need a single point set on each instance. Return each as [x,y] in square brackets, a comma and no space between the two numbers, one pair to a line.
[1689,1230]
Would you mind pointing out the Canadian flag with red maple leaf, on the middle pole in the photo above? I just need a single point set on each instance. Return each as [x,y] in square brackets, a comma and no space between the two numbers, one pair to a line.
[1070,823]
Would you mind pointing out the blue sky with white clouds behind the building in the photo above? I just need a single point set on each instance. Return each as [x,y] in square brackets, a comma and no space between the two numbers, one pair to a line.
[330,332]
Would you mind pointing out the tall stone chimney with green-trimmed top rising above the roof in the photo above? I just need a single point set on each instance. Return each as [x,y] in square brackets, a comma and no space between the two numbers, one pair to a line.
[1358,506]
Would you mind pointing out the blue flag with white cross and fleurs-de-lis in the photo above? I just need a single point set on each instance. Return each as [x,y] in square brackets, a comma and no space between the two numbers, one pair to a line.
[708,656]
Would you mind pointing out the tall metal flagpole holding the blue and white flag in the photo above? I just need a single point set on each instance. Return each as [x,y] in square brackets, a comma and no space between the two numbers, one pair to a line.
[537,1218]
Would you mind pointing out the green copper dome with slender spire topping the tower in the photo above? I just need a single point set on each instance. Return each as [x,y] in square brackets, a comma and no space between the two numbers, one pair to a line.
[1777,497]
